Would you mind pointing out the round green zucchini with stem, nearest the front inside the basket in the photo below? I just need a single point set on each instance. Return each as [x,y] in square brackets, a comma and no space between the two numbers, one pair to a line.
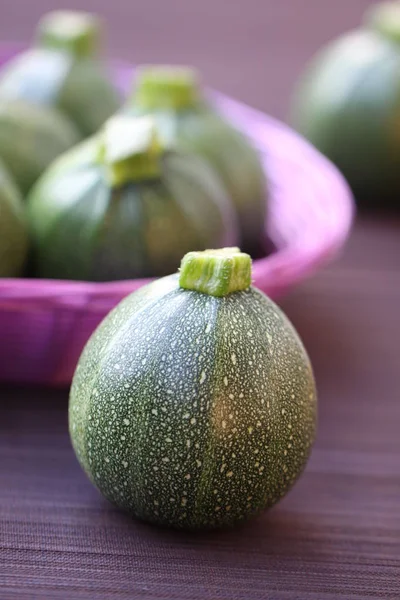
[122,205]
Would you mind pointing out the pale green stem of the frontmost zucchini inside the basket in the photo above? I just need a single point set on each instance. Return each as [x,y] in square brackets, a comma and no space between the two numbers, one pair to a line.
[130,149]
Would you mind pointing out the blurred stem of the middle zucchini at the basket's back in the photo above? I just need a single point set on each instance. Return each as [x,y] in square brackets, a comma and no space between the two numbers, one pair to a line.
[163,87]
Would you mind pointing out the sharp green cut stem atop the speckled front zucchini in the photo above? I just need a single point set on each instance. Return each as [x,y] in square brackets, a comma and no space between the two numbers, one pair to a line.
[216,272]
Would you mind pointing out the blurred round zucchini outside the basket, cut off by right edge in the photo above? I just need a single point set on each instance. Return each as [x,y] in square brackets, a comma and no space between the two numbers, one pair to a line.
[347,104]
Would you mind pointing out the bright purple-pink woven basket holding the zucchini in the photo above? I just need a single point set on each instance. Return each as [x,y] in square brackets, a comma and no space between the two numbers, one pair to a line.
[44,324]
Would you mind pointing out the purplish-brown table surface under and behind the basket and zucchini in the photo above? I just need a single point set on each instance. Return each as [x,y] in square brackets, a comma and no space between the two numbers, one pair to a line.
[337,534]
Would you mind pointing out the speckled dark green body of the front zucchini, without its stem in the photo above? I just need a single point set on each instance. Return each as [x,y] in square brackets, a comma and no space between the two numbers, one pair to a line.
[193,411]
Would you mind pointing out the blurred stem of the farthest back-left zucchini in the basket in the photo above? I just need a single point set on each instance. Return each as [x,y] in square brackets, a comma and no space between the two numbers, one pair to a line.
[78,33]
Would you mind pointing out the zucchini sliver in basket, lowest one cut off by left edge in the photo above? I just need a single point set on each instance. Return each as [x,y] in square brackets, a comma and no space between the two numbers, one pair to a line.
[13,227]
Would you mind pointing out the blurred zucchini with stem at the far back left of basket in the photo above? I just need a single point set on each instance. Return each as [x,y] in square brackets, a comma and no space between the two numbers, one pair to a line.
[63,70]
